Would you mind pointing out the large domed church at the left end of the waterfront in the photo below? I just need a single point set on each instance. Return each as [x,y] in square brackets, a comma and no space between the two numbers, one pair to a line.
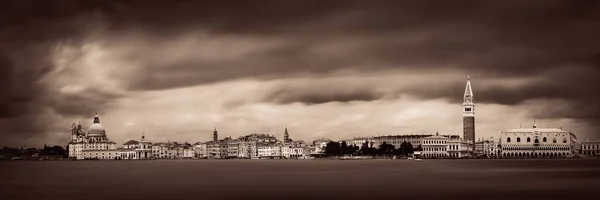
[93,145]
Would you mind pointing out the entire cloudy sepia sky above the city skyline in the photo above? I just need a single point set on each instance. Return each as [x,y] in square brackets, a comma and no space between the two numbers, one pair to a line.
[177,69]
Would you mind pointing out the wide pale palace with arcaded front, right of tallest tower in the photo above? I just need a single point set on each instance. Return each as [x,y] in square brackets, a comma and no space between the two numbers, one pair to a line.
[536,142]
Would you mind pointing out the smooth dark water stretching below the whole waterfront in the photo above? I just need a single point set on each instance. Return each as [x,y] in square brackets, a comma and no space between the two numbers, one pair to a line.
[301,179]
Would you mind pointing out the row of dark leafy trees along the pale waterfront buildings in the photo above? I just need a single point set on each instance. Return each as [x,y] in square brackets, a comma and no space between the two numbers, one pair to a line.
[367,149]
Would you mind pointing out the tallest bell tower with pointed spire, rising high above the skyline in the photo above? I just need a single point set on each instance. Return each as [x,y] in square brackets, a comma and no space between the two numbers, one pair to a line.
[469,114]
